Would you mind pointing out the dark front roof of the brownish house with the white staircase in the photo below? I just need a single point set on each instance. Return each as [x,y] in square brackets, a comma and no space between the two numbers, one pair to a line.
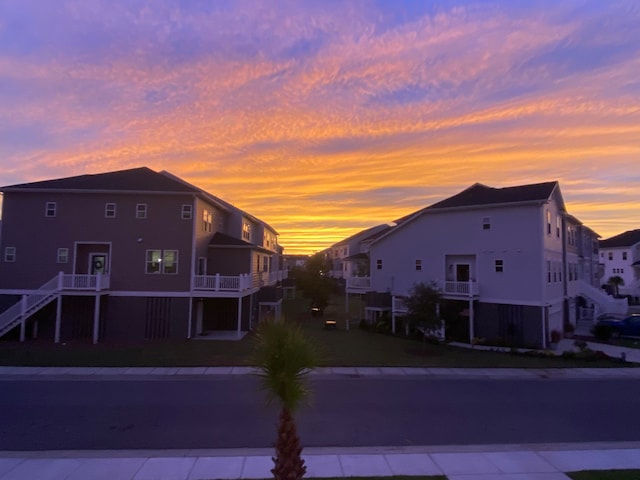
[135,179]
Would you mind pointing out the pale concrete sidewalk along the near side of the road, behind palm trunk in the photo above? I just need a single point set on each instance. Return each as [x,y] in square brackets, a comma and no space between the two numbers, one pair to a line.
[489,462]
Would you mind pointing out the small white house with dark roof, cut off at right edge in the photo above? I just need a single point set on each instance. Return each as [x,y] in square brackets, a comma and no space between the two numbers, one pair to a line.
[620,256]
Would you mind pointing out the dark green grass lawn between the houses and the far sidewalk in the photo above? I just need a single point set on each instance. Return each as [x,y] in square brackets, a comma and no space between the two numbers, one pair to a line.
[338,347]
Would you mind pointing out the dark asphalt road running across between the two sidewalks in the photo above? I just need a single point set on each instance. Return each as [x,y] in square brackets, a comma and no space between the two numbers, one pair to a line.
[226,412]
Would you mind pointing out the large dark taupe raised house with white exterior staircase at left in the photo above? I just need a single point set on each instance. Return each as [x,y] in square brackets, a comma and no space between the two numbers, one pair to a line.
[130,255]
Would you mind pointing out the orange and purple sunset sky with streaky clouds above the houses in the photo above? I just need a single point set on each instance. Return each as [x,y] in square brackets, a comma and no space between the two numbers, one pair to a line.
[323,118]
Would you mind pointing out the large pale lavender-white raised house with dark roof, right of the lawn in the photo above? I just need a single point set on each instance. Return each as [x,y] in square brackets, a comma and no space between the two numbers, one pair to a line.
[515,263]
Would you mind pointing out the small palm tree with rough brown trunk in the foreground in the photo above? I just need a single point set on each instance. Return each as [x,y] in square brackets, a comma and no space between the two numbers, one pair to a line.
[284,357]
